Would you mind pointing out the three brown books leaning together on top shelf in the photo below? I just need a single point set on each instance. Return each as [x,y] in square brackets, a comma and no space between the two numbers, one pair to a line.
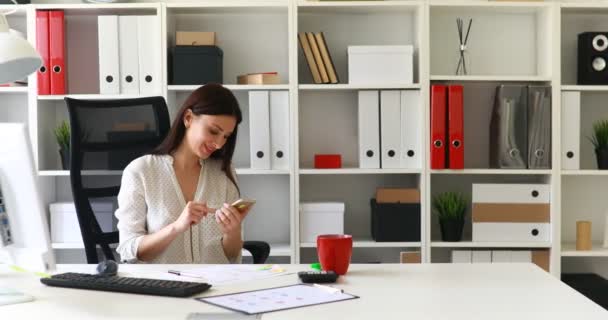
[318,58]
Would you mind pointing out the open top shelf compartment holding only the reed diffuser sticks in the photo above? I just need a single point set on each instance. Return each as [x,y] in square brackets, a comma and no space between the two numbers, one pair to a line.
[506,40]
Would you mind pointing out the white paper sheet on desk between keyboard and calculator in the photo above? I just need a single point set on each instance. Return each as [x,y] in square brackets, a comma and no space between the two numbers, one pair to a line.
[233,273]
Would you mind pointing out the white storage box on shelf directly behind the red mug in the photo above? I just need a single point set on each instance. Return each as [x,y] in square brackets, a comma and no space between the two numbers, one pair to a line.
[320,218]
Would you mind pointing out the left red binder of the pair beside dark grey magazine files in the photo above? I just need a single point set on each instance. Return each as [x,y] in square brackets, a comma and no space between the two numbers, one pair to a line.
[438,126]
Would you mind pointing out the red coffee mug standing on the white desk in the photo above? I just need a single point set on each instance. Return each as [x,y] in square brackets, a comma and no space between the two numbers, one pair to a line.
[335,251]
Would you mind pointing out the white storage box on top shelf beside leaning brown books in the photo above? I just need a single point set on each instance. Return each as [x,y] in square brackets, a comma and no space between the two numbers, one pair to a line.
[380,64]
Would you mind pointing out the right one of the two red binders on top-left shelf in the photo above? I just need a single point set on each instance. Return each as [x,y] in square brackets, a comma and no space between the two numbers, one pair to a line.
[57,51]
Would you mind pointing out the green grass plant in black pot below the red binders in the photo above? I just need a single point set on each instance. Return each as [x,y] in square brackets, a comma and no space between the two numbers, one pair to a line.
[450,208]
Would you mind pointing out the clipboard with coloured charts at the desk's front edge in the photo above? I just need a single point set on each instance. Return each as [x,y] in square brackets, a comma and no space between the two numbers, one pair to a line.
[276,299]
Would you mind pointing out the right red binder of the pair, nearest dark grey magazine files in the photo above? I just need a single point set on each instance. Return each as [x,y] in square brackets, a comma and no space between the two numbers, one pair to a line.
[456,127]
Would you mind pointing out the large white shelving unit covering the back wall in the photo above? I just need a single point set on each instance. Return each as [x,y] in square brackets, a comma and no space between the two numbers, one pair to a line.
[537,45]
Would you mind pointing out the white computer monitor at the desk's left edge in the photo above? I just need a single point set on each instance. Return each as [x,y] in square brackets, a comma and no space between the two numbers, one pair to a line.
[24,232]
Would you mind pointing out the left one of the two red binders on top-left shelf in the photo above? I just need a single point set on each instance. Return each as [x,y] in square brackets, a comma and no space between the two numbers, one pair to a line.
[42,46]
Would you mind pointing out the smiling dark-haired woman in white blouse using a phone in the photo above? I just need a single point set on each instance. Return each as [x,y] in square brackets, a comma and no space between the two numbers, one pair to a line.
[173,205]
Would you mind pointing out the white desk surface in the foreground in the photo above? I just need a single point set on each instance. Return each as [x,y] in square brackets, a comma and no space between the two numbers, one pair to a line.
[387,291]
